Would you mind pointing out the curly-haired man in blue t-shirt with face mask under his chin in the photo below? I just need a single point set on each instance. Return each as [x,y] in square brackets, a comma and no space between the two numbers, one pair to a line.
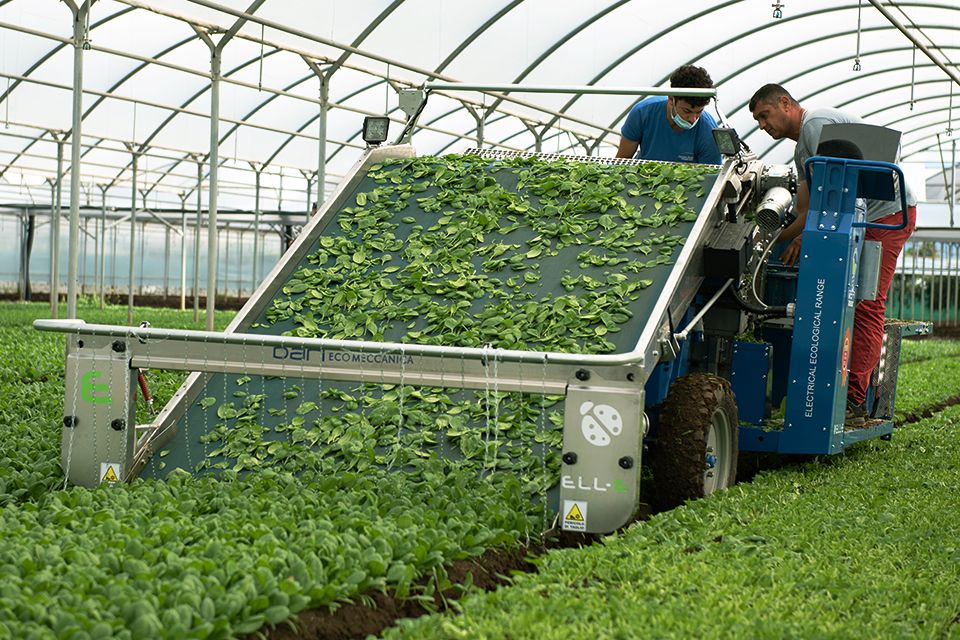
[675,129]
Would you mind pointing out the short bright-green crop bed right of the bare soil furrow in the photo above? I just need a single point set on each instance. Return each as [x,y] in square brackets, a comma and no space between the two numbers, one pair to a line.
[861,545]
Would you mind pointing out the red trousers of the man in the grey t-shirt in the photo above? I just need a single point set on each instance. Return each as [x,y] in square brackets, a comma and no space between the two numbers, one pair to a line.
[868,319]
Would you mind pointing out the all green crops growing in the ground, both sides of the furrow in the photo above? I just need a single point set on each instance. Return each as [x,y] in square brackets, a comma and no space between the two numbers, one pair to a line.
[859,545]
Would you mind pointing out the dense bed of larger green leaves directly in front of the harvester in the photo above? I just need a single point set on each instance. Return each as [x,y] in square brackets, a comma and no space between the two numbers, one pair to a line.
[205,558]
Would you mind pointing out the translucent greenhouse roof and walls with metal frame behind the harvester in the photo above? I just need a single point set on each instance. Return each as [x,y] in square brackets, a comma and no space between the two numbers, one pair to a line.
[294,81]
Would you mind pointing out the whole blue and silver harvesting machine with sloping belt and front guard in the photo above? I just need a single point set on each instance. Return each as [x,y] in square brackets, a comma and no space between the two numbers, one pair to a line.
[724,350]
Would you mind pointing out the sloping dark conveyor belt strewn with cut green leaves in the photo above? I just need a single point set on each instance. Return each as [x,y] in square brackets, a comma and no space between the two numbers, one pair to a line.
[285,421]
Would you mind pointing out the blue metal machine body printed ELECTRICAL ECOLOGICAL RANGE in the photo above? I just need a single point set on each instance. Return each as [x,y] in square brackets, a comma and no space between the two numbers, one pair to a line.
[813,380]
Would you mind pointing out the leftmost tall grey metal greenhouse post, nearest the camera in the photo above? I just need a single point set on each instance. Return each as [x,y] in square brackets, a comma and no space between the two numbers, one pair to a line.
[79,42]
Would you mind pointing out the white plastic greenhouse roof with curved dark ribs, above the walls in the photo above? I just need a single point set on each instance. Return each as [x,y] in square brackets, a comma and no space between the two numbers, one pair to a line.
[146,80]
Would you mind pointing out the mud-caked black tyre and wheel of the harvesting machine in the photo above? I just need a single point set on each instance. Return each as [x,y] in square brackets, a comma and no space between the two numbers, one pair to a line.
[697,440]
